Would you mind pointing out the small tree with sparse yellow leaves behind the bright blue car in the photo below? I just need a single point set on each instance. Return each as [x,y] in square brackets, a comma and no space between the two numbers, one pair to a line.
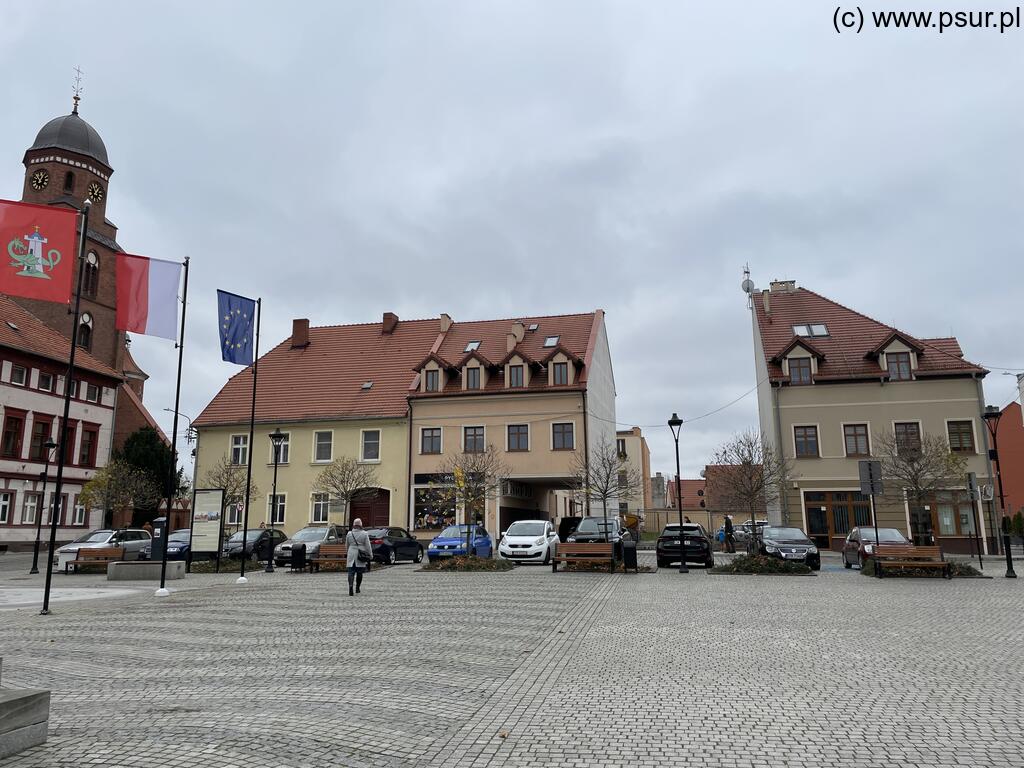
[471,480]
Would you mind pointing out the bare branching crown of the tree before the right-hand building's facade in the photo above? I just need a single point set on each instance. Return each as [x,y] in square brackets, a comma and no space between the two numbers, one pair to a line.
[915,470]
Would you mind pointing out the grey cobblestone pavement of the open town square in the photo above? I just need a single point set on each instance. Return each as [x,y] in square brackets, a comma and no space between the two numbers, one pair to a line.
[573,670]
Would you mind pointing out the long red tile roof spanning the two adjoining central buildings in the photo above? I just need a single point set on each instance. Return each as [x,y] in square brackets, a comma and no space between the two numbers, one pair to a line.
[325,380]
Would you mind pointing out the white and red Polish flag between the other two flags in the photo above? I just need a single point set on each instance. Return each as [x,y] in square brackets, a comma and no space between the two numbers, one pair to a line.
[148,296]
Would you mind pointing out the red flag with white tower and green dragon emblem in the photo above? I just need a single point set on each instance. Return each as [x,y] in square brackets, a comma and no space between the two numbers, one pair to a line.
[38,257]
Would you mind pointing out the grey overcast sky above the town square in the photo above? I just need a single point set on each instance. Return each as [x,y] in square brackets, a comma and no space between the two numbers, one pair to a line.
[503,159]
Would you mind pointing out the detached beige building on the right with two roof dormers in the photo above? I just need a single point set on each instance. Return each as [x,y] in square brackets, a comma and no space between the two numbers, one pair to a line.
[832,381]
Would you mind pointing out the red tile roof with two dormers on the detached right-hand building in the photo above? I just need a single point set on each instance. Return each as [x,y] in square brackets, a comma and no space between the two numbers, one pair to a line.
[850,350]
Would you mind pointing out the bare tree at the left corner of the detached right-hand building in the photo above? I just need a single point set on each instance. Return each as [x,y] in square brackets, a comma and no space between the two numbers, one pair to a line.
[750,477]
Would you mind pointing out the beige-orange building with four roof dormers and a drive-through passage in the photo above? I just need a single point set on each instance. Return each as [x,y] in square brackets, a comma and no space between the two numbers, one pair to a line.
[539,391]
